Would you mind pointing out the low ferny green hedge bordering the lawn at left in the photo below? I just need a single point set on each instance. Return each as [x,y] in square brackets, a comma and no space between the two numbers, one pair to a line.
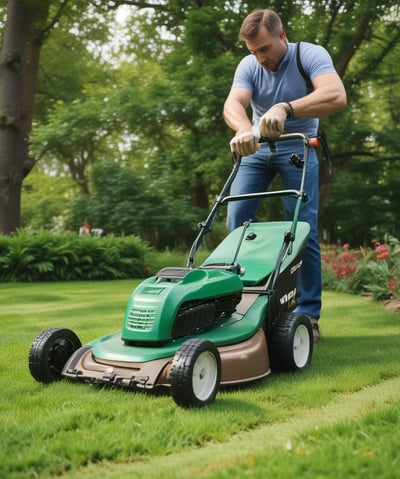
[42,256]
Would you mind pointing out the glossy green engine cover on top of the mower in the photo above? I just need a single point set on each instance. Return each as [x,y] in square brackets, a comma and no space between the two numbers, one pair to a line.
[179,302]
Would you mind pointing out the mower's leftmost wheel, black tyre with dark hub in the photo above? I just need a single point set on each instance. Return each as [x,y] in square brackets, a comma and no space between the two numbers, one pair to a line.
[49,353]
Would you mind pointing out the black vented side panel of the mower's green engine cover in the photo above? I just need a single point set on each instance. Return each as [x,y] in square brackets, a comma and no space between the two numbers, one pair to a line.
[199,315]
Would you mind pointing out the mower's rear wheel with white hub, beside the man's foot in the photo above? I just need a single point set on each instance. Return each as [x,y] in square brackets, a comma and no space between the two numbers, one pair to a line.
[291,342]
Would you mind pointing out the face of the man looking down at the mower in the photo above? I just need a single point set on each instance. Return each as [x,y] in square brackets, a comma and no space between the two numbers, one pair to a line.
[269,50]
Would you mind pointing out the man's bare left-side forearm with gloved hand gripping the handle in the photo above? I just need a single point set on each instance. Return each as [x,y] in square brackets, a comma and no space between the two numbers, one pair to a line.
[236,117]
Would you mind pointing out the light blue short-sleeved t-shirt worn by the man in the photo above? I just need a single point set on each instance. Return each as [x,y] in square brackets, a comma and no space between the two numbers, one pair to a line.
[286,84]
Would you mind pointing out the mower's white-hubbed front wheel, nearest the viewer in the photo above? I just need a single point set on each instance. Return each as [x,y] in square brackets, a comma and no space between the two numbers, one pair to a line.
[195,373]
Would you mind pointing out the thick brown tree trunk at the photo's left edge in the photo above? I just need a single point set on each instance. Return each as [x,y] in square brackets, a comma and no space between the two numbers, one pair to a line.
[19,61]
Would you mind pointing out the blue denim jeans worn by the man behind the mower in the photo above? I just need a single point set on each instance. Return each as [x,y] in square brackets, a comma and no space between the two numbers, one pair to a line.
[255,174]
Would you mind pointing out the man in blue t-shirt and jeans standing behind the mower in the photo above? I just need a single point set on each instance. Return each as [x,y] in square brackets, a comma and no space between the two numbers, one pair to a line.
[269,80]
